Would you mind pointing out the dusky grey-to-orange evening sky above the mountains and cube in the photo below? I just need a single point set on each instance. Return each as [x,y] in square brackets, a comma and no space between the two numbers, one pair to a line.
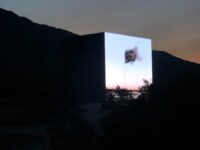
[173,25]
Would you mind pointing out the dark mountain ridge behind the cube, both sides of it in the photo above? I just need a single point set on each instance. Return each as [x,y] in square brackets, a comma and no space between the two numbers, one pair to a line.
[30,66]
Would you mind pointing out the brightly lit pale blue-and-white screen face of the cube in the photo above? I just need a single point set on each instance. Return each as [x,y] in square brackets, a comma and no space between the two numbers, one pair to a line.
[128,61]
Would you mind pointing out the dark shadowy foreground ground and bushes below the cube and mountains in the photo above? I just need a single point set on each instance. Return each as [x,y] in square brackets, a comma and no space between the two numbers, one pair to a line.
[166,114]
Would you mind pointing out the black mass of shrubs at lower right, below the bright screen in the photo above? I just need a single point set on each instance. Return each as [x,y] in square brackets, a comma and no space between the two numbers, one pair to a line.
[164,112]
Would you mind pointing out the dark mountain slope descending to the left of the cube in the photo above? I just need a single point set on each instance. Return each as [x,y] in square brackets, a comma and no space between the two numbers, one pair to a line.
[30,69]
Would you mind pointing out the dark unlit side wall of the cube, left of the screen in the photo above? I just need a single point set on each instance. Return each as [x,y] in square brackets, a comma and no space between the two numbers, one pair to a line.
[85,69]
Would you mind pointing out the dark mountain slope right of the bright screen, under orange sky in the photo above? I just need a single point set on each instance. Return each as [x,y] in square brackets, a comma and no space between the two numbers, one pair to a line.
[167,67]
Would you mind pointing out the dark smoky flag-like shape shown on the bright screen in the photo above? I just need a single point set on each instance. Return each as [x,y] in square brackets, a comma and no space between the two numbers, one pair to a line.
[130,55]
